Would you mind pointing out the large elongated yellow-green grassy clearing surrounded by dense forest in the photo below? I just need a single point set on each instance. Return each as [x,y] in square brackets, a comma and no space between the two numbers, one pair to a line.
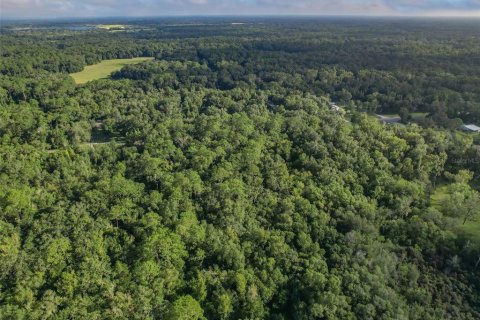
[103,69]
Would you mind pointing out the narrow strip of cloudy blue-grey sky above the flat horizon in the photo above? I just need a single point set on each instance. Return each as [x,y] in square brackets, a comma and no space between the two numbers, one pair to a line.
[102,8]
